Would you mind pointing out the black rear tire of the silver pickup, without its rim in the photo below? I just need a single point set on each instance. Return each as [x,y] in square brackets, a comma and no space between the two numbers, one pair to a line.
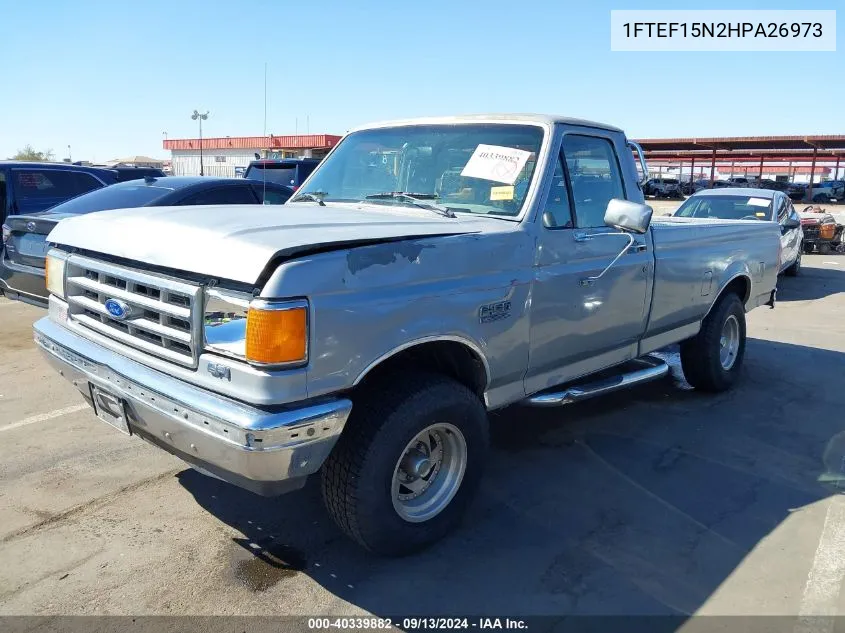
[700,355]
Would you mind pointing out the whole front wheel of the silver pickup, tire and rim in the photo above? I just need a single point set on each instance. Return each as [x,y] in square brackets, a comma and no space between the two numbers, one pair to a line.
[407,463]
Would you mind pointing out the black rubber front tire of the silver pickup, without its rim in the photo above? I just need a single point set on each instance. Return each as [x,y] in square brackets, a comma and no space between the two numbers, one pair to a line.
[357,476]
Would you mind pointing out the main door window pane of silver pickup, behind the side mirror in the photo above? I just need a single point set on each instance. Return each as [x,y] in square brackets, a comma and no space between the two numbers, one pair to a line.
[594,176]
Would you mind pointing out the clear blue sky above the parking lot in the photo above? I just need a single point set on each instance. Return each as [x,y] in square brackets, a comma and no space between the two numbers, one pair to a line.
[109,77]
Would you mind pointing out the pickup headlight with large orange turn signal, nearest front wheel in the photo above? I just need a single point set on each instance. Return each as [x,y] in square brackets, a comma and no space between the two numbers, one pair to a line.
[264,333]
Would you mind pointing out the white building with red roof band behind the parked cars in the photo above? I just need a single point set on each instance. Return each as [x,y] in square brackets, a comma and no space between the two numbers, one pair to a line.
[229,156]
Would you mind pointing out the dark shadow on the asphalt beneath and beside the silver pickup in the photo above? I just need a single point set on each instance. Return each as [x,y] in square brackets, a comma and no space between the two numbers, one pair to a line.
[641,503]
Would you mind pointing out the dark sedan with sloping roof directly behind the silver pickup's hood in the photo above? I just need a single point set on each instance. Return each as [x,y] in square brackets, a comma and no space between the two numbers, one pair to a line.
[25,236]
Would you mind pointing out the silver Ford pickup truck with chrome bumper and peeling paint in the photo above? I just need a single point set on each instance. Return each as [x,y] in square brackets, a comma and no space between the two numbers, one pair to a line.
[427,272]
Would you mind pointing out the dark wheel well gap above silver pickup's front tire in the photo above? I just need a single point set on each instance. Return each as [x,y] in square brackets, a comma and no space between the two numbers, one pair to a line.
[451,358]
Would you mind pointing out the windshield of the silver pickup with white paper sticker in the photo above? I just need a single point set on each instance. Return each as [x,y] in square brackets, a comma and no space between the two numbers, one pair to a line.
[467,168]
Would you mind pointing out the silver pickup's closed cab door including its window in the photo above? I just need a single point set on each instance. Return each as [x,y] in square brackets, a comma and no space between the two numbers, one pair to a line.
[578,327]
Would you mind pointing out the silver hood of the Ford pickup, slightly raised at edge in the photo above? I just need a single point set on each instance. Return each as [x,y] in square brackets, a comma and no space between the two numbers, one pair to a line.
[237,242]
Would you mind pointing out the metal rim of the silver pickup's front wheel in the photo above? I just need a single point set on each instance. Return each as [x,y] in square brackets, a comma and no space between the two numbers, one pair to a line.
[429,472]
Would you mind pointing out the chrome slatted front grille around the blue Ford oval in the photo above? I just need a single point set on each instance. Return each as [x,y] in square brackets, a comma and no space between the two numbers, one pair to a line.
[164,313]
